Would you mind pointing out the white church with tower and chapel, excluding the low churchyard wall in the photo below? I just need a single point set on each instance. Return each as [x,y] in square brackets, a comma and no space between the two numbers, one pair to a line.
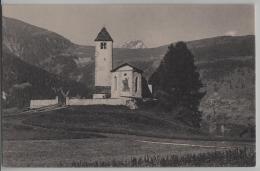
[114,81]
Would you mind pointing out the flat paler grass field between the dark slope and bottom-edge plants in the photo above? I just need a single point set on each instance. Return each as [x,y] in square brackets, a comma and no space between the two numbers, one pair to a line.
[114,147]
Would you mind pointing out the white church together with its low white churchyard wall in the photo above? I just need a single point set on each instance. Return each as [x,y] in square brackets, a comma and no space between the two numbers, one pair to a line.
[114,85]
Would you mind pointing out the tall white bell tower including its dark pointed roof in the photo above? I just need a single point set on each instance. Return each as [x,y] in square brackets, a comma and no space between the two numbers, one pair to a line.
[103,58]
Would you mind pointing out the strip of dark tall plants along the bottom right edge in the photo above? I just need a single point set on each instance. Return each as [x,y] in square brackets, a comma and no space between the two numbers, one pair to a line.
[235,158]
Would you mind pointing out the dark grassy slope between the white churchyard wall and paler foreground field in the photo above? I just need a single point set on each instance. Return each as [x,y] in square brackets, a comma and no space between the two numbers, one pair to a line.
[90,121]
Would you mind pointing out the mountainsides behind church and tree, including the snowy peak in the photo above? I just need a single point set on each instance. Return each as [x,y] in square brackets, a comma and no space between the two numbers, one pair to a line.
[226,63]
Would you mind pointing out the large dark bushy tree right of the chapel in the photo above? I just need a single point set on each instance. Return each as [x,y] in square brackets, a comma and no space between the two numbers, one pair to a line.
[177,84]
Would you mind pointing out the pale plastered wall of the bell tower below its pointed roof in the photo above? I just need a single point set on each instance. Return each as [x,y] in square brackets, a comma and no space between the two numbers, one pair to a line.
[103,64]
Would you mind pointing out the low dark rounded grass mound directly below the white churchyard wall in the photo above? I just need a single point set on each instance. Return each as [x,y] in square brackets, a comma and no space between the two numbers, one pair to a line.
[111,120]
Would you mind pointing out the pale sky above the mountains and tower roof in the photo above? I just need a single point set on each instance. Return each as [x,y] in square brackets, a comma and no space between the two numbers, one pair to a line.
[155,25]
